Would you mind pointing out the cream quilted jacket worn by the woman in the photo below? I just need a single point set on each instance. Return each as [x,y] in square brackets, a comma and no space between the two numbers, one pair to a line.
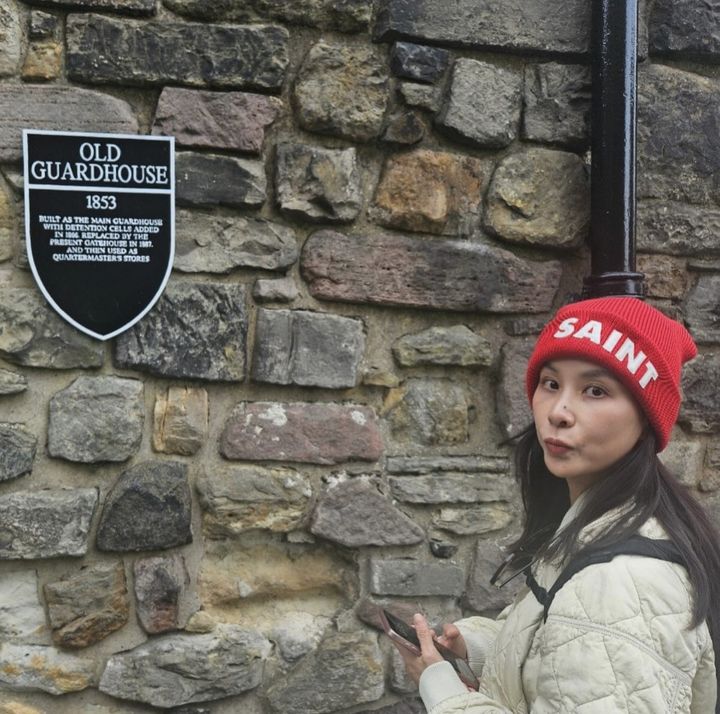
[616,640]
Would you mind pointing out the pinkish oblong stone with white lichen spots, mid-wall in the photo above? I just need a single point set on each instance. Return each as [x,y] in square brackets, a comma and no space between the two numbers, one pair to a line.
[313,433]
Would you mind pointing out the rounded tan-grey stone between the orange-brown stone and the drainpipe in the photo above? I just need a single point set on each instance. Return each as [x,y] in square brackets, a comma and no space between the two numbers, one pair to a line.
[540,197]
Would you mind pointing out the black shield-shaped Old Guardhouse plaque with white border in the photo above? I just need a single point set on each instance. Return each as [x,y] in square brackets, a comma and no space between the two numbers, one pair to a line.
[99,224]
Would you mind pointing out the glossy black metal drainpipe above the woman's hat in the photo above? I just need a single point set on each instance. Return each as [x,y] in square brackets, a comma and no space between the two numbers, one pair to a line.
[614,79]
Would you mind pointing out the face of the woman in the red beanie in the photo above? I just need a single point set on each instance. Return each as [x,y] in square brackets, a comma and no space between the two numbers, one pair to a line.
[585,419]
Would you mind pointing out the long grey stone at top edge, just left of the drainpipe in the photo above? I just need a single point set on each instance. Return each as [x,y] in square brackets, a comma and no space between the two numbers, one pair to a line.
[558,26]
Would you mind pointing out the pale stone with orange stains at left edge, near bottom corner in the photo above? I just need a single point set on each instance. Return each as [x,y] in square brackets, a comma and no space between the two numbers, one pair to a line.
[35,668]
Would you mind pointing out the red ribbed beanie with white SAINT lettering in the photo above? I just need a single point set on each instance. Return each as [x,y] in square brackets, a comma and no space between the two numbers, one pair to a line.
[642,348]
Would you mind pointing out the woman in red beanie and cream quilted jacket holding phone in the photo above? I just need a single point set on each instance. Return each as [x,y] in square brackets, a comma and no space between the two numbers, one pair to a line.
[632,634]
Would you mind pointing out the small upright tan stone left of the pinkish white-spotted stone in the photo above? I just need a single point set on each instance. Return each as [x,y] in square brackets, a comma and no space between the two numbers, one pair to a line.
[180,421]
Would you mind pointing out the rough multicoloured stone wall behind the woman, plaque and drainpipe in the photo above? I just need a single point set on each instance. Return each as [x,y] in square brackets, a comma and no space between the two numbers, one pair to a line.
[377,207]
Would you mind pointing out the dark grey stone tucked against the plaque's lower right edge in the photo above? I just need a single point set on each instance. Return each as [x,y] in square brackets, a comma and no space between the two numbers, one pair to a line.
[196,330]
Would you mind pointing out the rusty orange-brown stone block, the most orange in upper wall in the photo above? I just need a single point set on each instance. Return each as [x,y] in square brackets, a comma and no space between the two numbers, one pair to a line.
[431,191]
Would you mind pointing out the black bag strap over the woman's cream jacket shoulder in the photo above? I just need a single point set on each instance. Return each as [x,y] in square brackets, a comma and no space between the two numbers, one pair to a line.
[633,545]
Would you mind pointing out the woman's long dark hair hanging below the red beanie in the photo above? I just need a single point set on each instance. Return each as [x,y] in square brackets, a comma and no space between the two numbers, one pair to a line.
[643,487]
